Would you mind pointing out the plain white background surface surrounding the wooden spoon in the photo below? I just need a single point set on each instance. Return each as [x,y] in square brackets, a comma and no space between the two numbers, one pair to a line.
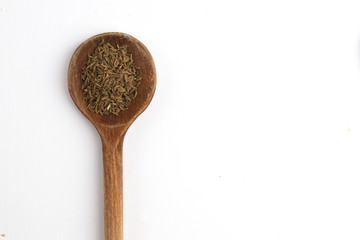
[253,132]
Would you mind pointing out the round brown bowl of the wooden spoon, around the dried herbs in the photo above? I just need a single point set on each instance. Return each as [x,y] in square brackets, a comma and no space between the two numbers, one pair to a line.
[142,59]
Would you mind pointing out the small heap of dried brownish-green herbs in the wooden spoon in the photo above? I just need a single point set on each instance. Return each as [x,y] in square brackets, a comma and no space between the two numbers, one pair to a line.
[109,79]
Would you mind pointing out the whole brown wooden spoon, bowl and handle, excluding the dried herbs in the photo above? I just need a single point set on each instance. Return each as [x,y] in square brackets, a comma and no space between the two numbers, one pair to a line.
[112,128]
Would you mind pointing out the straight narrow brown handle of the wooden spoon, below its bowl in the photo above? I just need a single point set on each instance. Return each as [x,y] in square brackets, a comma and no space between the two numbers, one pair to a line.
[113,188]
